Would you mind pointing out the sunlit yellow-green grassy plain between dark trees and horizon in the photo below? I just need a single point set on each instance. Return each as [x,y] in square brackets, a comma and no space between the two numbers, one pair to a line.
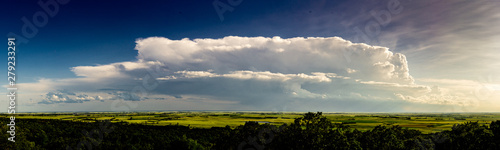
[425,122]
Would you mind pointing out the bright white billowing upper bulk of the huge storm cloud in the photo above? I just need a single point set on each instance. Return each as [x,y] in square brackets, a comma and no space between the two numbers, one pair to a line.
[294,55]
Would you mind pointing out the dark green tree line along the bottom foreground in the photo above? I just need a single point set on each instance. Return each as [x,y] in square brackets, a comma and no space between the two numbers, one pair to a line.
[311,131]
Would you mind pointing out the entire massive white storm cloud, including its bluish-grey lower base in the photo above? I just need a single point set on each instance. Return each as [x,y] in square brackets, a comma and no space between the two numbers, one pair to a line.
[252,72]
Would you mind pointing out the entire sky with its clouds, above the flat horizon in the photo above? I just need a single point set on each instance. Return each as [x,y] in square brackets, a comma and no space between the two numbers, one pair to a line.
[241,55]
